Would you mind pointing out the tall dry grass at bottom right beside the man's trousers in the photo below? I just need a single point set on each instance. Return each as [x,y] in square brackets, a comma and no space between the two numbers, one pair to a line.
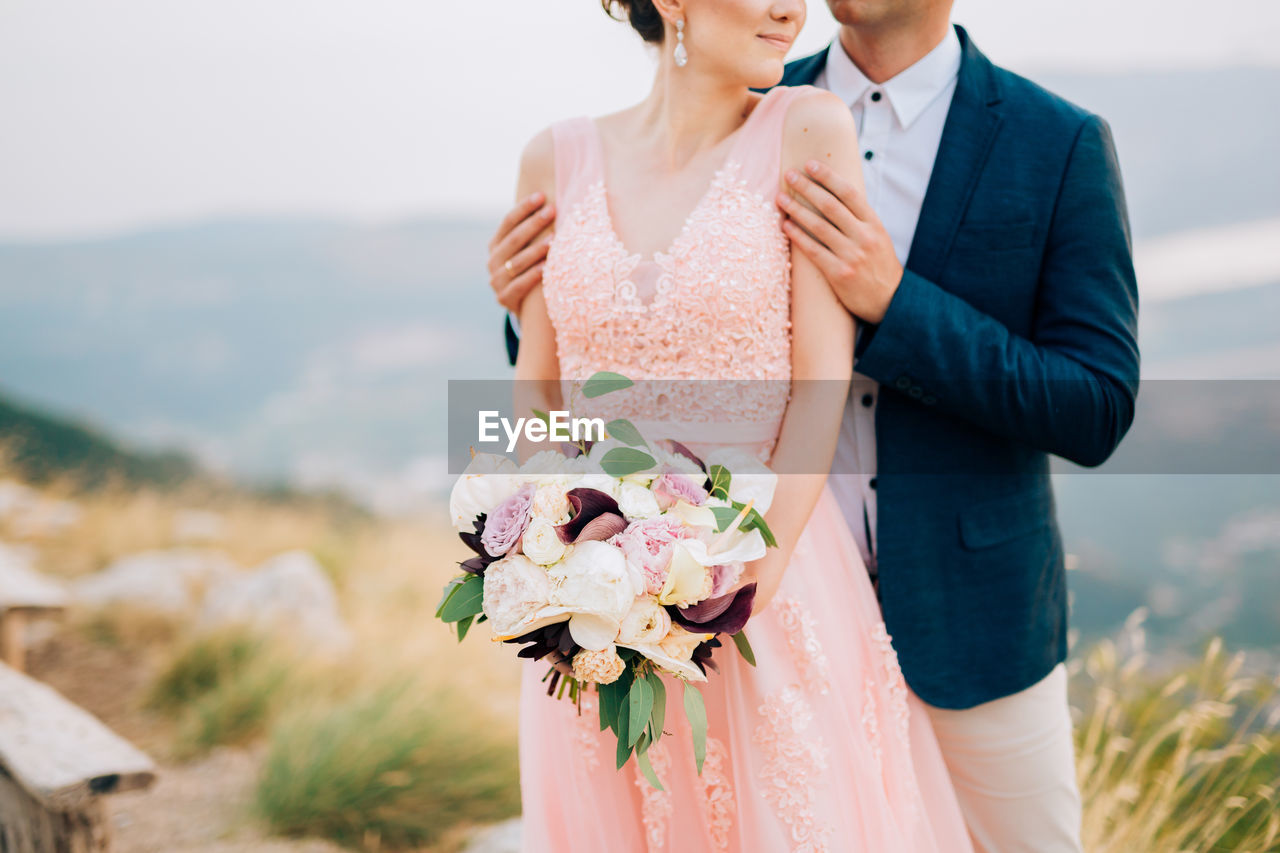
[1190,764]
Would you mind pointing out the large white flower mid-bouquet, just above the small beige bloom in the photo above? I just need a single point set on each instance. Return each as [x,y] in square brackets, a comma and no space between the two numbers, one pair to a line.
[595,585]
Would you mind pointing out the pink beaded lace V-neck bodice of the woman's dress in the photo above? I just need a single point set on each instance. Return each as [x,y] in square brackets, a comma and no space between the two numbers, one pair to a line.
[711,314]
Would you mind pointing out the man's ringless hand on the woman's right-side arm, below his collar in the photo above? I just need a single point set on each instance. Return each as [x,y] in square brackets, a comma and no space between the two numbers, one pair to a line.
[844,238]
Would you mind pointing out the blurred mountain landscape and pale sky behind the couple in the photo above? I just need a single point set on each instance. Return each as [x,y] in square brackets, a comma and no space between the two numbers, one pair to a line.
[243,250]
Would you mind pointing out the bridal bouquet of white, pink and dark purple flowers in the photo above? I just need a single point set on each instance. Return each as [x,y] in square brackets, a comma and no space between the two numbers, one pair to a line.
[625,560]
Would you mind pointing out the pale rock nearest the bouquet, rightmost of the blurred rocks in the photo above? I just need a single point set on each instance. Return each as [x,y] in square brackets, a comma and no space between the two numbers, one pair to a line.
[289,594]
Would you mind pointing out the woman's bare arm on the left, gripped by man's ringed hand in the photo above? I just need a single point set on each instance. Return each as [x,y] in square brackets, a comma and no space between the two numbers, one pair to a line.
[537,367]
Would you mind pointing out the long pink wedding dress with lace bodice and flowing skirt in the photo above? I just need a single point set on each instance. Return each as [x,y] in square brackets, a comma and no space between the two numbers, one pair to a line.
[820,747]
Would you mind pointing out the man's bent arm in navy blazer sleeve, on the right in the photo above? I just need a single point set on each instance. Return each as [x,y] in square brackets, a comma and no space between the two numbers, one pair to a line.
[1071,389]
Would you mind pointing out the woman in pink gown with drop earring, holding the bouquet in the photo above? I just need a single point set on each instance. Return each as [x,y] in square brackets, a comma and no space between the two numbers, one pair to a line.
[669,263]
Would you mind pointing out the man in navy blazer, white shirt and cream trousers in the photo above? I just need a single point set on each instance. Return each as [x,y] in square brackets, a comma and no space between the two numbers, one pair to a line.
[989,264]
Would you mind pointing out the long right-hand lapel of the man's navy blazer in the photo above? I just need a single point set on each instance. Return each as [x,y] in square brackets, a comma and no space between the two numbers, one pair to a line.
[967,136]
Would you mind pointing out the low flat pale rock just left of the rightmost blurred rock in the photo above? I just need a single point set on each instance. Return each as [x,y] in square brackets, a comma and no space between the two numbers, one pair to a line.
[167,581]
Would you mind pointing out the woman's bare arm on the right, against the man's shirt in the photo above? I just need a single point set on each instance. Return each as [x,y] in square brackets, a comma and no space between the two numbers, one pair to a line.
[819,127]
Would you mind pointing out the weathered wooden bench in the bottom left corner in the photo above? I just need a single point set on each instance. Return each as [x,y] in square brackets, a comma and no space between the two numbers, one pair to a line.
[57,763]
